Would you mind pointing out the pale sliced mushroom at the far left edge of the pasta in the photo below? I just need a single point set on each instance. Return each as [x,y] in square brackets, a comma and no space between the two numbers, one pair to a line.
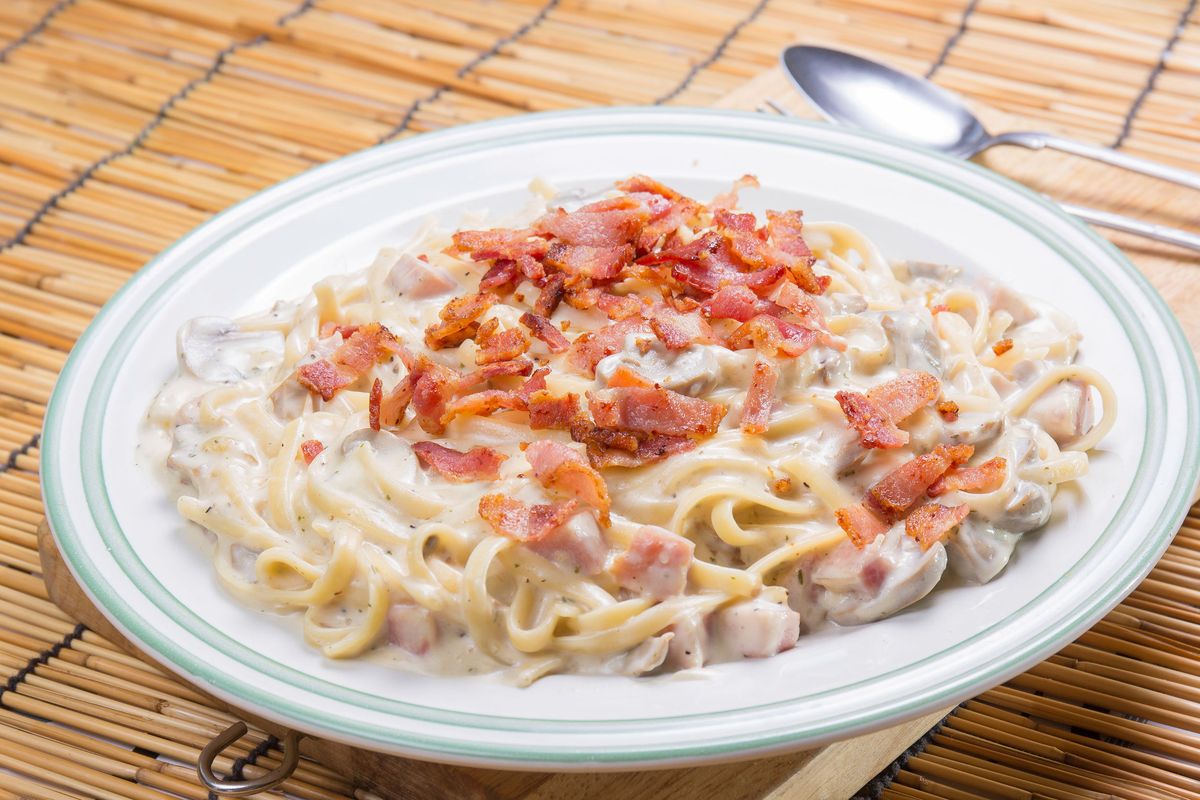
[215,350]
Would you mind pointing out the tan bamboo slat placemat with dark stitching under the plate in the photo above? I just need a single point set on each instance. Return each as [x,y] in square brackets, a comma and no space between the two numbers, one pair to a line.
[127,123]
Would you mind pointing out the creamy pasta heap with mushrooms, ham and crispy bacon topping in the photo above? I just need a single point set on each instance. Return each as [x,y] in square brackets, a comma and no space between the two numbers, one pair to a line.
[631,436]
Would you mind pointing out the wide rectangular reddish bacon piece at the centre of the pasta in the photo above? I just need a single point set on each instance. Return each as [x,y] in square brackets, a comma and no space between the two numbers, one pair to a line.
[655,411]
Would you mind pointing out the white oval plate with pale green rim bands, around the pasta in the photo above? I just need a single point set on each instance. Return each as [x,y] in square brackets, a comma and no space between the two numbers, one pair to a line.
[124,542]
